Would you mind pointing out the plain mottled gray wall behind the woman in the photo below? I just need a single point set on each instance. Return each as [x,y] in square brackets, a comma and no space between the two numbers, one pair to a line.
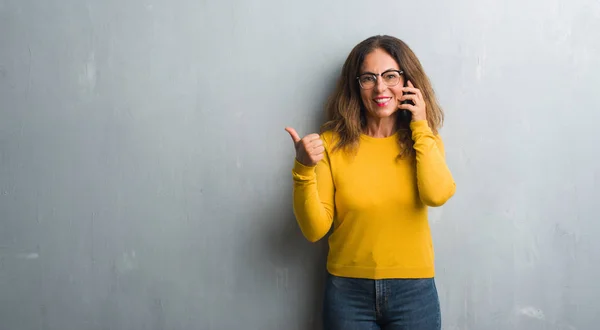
[145,171]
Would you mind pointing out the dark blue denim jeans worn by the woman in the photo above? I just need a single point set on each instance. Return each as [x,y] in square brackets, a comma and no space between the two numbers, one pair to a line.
[388,304]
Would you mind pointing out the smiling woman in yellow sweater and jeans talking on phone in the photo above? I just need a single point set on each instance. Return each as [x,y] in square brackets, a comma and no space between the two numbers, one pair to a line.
[371,173]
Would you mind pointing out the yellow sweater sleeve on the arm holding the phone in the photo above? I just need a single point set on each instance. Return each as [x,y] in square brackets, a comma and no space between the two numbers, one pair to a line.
[434,179]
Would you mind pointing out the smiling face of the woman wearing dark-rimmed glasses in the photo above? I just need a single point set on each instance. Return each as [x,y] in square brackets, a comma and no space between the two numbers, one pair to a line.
[381,100]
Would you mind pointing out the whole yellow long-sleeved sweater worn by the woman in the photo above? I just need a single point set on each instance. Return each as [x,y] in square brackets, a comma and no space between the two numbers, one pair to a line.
[376,203]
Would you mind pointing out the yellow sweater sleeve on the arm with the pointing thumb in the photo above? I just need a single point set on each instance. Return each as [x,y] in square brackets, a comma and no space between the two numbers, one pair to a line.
[313,198]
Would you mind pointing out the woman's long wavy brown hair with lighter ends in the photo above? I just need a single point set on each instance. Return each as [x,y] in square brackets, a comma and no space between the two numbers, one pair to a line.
[345,112]
